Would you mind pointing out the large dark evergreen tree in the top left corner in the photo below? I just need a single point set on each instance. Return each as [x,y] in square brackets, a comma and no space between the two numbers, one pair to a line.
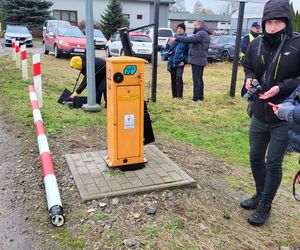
[31,13]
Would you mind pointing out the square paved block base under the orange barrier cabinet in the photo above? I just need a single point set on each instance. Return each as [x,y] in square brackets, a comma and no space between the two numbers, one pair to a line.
[95,180]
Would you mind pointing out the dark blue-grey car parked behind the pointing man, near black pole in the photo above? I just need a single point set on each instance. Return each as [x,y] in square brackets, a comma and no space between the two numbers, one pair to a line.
[222,48]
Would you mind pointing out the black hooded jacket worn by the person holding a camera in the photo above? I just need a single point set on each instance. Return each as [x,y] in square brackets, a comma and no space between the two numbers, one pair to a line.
[284,71]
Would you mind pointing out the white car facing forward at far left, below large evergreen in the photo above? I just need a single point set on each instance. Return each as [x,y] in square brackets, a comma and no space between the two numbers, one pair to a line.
[18,32]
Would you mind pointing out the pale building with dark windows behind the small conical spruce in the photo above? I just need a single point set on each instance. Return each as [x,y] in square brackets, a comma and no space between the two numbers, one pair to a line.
[139,12]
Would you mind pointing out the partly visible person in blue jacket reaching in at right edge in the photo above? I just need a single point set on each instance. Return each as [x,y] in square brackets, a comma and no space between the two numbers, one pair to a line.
[289,111]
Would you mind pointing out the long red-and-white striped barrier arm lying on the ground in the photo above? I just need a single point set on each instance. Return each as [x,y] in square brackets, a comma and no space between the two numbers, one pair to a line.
[52,193]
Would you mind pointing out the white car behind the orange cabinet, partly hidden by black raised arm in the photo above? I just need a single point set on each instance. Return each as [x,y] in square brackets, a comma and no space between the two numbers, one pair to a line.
[141,45]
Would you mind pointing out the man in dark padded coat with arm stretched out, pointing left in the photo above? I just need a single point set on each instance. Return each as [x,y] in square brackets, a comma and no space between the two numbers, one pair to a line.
[199,45]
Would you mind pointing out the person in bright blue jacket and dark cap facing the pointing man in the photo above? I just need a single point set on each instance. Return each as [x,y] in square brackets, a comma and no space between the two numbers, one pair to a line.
[177,54]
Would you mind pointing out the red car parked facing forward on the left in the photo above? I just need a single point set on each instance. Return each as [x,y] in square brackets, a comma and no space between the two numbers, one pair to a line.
[64,40]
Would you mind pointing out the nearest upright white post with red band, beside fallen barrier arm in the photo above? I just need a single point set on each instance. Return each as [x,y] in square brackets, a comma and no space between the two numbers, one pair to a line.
[37,78]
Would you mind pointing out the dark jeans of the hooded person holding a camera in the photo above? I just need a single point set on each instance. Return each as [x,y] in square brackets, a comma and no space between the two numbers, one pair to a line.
[268,143]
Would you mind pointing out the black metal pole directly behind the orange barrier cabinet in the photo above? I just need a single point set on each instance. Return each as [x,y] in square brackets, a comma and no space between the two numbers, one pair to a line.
[155,50]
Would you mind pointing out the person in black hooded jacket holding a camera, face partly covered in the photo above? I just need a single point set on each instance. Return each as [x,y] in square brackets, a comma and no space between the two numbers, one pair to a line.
[274,61]
